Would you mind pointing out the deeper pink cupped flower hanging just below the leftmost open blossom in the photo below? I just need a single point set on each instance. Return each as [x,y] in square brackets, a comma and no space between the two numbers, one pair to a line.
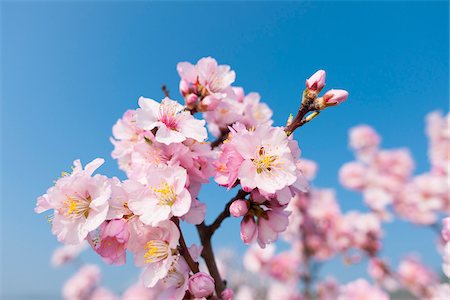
[110,241]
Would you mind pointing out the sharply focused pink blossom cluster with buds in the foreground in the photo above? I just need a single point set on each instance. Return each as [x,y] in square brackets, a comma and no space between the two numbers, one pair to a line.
[163,149]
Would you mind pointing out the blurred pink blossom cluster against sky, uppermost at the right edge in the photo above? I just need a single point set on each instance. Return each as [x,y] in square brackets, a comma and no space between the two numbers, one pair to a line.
[384,177]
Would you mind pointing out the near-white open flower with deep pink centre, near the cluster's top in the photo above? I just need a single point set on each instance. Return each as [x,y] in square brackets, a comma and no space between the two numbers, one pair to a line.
[173,123]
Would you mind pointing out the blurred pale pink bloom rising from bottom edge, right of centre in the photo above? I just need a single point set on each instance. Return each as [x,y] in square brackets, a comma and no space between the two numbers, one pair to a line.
[361,289]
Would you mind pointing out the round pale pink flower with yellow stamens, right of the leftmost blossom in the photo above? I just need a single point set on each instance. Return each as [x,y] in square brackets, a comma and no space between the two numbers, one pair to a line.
[162,196]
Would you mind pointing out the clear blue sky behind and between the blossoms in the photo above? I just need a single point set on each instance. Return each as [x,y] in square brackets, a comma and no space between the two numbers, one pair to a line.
[69,71]
